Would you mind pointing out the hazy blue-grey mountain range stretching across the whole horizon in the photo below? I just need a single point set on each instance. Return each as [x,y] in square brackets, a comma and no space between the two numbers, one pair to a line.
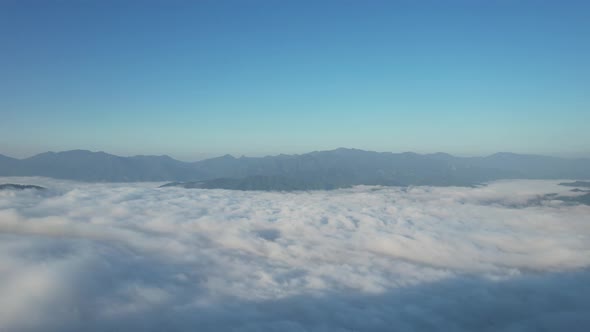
[315,170]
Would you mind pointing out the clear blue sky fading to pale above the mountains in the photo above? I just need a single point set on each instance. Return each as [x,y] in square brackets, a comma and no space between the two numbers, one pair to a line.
[200,78]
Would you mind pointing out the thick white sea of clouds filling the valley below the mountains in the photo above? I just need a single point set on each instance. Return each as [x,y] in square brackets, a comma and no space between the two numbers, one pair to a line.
[99,257]
